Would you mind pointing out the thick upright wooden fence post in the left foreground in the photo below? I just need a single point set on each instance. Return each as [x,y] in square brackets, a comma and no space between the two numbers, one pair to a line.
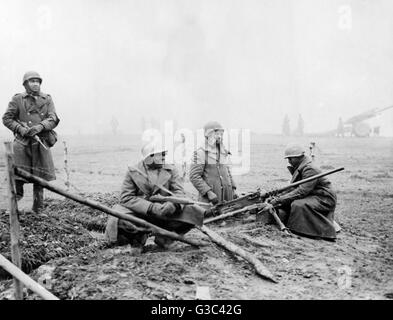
[14,220]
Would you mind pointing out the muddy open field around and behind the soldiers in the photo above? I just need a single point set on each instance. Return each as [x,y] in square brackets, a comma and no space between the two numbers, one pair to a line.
[359,265]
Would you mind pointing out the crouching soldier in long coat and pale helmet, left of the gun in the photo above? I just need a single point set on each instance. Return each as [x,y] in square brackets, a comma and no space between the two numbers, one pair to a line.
[151,176]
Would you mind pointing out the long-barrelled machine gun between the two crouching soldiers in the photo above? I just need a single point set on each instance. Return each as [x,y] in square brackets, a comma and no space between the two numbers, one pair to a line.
[257,200]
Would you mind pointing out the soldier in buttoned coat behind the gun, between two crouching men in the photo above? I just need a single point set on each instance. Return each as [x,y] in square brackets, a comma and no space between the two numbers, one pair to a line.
[210,172]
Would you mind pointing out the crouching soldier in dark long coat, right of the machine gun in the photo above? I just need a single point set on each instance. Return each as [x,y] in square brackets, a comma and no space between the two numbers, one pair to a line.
[308,209]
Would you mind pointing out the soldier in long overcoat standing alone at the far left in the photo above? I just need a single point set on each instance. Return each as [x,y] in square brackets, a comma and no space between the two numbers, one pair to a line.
[30,115]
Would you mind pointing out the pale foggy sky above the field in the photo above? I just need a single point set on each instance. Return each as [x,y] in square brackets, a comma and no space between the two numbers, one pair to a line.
[245,63]
